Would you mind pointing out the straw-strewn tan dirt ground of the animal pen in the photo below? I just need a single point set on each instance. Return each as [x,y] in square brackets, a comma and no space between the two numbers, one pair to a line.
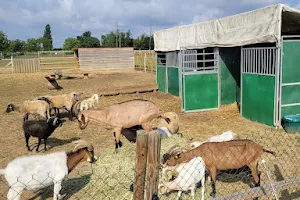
[16,88]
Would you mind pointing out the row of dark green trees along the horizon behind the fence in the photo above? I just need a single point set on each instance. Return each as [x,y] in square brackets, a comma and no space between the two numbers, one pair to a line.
[85,40]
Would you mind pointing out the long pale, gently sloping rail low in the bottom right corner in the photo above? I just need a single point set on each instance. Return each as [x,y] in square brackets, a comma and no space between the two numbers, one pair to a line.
[262,190]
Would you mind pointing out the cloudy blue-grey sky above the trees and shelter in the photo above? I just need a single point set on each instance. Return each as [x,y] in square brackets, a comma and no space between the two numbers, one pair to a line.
[23,19]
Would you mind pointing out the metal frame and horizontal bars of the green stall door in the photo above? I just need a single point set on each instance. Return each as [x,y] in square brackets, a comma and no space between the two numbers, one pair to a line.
[206,70]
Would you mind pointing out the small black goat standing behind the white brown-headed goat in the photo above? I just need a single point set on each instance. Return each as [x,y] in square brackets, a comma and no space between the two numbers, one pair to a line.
[41,129]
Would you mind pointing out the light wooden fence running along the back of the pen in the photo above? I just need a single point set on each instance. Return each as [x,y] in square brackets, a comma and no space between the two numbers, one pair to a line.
[88,60]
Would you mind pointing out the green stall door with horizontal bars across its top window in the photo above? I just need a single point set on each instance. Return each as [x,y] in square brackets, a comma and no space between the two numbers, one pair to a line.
[200,80]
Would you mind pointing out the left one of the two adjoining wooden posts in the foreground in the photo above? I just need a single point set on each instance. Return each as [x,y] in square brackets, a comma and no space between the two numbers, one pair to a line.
[141,162]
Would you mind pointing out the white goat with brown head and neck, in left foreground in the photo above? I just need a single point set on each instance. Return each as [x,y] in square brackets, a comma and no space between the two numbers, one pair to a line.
[39,171]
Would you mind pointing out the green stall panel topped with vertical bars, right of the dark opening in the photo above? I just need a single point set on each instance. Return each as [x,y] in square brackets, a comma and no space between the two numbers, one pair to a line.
[258,84]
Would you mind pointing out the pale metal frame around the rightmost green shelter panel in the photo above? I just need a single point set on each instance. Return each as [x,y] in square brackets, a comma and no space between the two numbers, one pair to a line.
[281,85]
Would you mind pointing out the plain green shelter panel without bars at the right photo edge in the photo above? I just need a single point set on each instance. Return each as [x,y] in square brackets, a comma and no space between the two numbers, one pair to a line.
[290,81]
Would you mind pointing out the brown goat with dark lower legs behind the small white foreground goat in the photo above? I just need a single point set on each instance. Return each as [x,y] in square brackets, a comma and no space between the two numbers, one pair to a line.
[232,154]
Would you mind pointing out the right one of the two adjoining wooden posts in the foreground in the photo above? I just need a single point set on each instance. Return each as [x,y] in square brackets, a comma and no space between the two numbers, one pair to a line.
[154,144]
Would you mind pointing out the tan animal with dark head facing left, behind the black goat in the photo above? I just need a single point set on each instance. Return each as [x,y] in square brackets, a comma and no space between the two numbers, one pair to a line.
[36,107]
